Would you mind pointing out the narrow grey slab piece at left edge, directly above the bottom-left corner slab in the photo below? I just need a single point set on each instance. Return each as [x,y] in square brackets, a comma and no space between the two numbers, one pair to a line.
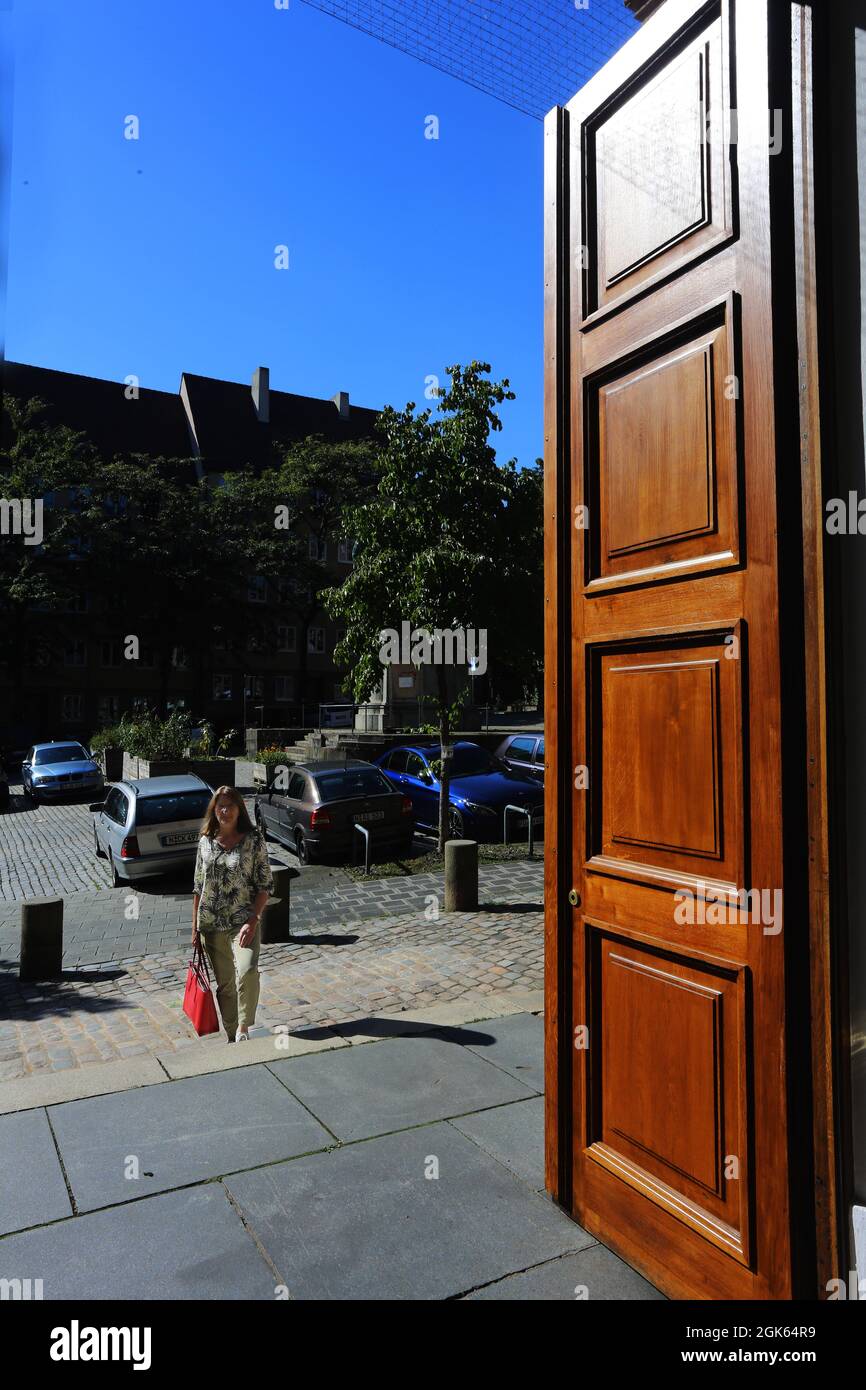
[33,1189]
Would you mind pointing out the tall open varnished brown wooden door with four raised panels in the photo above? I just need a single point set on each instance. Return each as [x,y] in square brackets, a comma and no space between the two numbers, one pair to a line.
[679,1064]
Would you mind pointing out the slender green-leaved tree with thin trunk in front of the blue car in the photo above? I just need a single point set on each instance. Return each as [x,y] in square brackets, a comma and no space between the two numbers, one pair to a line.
[439,540]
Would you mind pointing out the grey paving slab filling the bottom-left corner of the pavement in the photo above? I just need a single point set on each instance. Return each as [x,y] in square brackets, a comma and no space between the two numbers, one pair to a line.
[184,1246]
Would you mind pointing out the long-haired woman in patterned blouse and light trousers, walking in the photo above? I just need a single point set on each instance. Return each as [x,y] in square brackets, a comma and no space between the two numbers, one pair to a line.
[233,885]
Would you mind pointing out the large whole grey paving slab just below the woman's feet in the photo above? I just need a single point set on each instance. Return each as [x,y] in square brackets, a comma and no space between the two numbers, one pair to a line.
[180,1134]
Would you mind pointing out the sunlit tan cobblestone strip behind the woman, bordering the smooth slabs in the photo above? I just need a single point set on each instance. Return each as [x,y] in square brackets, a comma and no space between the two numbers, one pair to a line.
[320,979]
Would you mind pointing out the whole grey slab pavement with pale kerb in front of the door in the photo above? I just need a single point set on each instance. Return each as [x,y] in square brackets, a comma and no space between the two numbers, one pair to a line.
[393,1157]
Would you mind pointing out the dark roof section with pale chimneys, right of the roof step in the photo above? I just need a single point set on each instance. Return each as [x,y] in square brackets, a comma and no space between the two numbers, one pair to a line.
[229,432]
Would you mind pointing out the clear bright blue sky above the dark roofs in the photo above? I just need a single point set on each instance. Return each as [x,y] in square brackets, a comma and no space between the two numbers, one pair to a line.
[262,127]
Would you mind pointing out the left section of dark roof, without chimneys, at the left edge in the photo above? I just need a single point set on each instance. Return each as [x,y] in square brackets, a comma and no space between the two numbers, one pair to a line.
[155,425]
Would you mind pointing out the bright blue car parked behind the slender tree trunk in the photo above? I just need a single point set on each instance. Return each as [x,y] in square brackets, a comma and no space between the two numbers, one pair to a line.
[479,792]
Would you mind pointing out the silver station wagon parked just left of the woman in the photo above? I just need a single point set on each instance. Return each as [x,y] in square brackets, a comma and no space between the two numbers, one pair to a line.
[151,826]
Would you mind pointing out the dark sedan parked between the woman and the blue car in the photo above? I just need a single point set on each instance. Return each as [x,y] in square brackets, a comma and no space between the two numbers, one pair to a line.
[318,811]
